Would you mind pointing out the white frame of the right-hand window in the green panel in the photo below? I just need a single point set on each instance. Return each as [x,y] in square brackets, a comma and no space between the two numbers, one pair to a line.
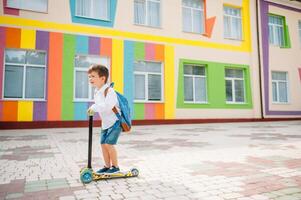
[232,79]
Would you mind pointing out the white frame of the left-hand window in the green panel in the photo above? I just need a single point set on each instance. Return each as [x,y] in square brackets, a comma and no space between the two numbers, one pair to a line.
[193,84]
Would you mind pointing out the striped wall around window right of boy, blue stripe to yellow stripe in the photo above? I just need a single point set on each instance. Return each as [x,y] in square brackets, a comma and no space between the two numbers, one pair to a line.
[150,52]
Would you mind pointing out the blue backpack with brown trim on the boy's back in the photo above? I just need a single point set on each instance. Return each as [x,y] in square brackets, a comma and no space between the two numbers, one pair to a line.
[125,116]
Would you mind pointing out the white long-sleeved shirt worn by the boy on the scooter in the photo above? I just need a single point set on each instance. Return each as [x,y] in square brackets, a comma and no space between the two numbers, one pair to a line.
[103,105]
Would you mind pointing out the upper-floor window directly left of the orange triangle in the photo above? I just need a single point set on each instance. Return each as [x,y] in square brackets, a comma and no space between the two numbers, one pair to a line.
[193,16]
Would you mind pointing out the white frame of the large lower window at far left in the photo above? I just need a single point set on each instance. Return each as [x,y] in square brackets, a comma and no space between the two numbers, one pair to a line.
[25,65]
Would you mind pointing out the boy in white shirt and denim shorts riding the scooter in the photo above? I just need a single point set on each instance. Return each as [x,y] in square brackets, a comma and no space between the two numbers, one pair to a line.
[105,100]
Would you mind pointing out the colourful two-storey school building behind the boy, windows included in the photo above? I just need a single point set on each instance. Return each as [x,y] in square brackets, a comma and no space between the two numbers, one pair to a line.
[175,60]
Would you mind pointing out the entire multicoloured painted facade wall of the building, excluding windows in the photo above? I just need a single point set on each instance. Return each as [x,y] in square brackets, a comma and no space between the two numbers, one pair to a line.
[62,35]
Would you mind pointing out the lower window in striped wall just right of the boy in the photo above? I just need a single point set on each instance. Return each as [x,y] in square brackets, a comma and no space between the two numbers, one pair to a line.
[148,81]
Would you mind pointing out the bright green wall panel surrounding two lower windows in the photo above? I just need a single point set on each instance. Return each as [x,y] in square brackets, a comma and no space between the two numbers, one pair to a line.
[216,90]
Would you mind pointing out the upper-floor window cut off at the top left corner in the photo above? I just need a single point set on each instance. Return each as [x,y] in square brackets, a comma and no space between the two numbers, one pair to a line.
[34,5]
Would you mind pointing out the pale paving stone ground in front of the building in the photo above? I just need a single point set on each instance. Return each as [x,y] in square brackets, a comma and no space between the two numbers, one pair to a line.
[241,161]
